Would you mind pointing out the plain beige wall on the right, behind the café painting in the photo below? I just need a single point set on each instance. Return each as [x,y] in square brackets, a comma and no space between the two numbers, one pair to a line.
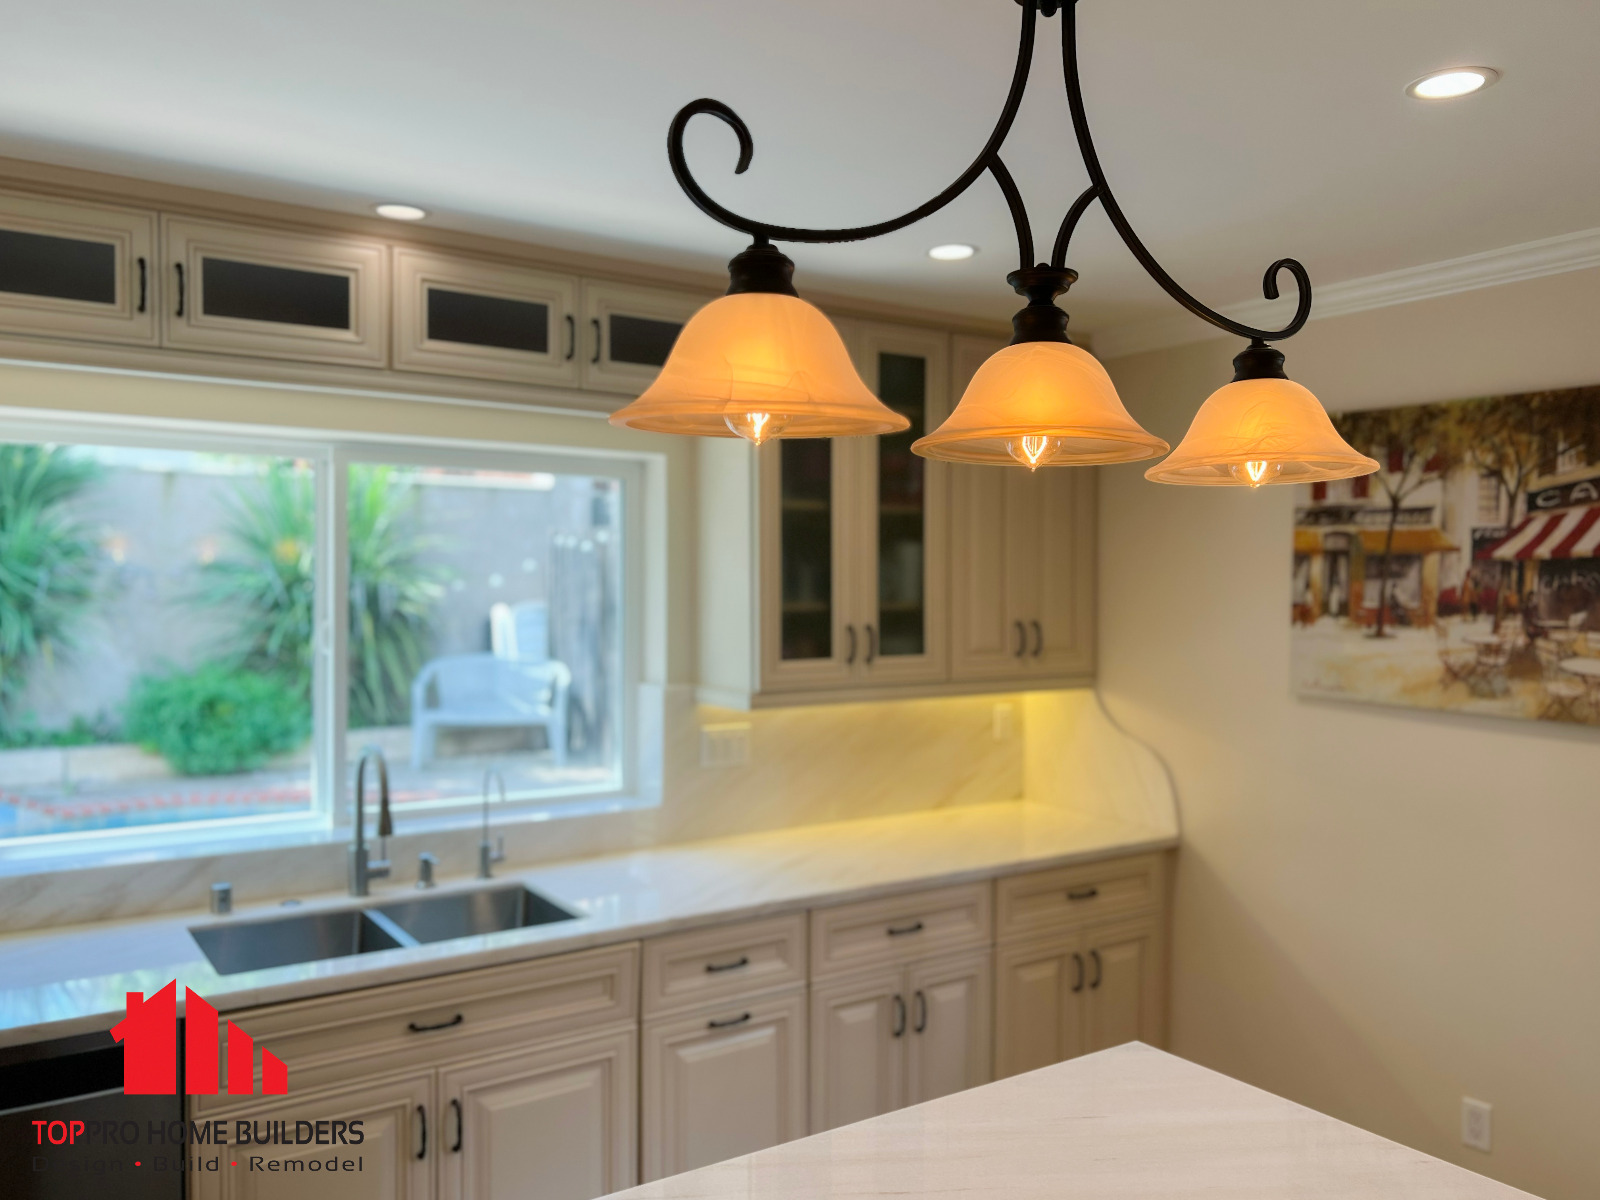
[1377,911]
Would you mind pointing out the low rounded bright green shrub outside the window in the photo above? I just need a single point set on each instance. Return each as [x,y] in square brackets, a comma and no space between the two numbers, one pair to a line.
[217,719]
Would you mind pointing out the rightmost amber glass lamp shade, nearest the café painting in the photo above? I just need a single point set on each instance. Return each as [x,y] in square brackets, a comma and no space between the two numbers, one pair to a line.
[1262,431]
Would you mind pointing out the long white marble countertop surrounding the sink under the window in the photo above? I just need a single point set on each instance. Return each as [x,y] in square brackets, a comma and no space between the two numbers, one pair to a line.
[74,980]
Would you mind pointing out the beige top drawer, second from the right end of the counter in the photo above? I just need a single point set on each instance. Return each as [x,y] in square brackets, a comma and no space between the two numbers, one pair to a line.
[900,929]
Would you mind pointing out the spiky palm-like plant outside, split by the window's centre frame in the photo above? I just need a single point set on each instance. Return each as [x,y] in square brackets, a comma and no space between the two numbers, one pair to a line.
[270,585]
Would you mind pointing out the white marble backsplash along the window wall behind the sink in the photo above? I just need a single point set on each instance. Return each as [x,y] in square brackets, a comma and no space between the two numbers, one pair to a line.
[809,766]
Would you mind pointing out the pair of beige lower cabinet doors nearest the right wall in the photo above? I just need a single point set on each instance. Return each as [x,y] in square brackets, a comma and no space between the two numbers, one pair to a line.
[1087,990]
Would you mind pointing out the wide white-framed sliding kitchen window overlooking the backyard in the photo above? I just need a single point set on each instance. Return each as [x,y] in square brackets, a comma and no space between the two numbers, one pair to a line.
[199,638]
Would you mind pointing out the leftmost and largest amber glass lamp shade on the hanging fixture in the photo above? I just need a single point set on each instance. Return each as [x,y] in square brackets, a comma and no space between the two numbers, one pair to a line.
[759,366]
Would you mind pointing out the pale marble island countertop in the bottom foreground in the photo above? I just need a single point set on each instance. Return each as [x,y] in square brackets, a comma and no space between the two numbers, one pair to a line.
[1126,1124]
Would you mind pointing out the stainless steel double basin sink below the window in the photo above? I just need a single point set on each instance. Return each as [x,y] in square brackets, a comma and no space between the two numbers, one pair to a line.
[338,934]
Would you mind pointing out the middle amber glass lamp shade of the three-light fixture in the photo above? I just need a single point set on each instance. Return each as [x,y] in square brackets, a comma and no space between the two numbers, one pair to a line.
[1041,404]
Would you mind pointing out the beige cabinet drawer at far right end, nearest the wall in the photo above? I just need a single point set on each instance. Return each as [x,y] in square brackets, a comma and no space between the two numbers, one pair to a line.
[1054,900]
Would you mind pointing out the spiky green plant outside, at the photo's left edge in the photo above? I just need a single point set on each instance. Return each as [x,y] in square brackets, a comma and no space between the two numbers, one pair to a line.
[49,559]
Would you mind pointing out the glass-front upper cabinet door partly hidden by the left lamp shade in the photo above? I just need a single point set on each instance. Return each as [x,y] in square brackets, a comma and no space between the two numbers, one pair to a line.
[628,332]
